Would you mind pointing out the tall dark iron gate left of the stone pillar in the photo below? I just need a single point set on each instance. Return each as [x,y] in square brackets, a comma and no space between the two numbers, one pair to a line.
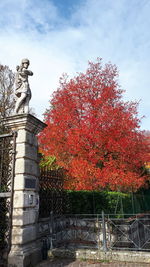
[7,165]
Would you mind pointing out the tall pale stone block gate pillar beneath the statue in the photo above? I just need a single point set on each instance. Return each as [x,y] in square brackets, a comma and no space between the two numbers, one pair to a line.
[24,251]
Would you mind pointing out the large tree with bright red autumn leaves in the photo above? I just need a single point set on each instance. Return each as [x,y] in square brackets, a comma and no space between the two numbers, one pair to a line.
[93,134]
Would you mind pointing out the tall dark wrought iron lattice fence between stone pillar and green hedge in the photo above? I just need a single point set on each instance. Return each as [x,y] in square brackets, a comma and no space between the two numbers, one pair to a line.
[52,195]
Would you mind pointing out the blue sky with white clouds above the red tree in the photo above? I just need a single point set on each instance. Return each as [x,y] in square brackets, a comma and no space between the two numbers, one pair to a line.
[61,36]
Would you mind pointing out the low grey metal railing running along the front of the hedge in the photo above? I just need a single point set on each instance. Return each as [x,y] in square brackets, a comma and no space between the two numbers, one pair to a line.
[101,231]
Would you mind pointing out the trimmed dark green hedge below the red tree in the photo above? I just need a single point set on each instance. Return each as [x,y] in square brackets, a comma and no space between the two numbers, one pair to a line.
[93,202]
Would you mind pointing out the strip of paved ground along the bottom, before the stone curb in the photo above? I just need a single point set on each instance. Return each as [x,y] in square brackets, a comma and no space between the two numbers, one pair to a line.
[77,263]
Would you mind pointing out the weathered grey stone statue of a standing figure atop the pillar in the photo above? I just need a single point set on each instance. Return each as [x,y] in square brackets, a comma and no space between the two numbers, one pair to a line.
[22,88]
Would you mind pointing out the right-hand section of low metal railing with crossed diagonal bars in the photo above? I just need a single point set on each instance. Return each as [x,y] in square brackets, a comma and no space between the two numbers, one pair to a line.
[132,232]
